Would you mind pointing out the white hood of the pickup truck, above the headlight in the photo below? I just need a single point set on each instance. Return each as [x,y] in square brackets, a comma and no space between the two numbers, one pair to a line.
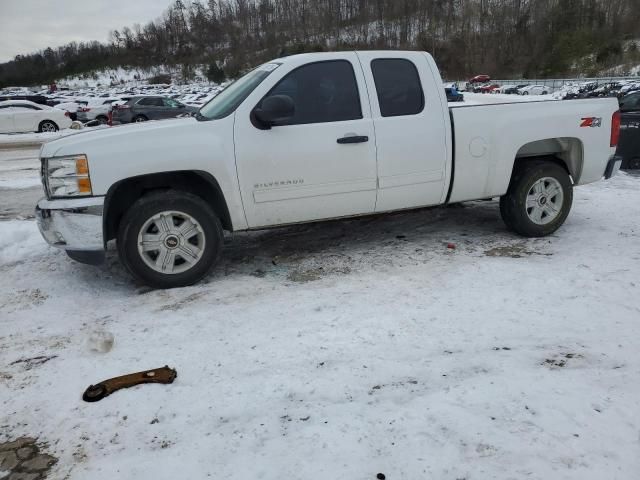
[120,138]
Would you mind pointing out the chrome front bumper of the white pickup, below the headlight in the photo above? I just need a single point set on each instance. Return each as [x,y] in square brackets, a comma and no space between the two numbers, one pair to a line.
[74,225]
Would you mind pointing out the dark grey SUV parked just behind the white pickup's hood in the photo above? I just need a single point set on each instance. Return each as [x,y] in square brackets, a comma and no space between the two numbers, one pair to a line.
[143,108]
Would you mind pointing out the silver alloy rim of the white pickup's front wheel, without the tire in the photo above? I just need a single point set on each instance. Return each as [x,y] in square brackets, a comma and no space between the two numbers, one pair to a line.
[171,242]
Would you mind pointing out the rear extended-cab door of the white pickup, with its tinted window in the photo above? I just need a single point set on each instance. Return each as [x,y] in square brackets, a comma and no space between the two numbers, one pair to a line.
[410,116]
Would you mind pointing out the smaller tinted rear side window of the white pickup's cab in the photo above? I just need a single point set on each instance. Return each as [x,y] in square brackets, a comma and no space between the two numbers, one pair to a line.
[398,87]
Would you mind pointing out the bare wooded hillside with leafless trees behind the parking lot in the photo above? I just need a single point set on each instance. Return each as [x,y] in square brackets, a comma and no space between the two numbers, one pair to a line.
[504,38]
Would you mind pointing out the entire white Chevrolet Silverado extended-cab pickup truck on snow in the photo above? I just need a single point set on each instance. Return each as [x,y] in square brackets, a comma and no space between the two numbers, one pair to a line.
[313,137]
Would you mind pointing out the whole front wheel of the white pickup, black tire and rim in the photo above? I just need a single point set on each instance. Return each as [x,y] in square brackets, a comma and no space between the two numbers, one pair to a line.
[158,217]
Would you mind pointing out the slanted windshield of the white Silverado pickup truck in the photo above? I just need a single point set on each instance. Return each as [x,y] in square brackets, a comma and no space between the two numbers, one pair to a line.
[226,102]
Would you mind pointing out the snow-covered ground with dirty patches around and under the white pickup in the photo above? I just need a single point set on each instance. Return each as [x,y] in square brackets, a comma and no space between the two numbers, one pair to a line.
[340,350]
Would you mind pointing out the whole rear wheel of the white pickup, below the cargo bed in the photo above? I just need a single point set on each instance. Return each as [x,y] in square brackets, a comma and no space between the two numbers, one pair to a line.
[538,200]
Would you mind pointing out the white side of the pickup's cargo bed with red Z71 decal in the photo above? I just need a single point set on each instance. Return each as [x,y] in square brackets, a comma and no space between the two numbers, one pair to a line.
[574,131]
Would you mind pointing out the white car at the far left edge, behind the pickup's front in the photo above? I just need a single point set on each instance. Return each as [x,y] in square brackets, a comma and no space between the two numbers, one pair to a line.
[21,116]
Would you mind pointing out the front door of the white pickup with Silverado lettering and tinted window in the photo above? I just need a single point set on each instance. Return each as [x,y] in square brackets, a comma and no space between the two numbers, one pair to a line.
[310,166]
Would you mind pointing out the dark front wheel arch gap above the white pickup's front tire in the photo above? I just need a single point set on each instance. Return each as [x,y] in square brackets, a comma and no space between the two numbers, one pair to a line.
[126,192]
